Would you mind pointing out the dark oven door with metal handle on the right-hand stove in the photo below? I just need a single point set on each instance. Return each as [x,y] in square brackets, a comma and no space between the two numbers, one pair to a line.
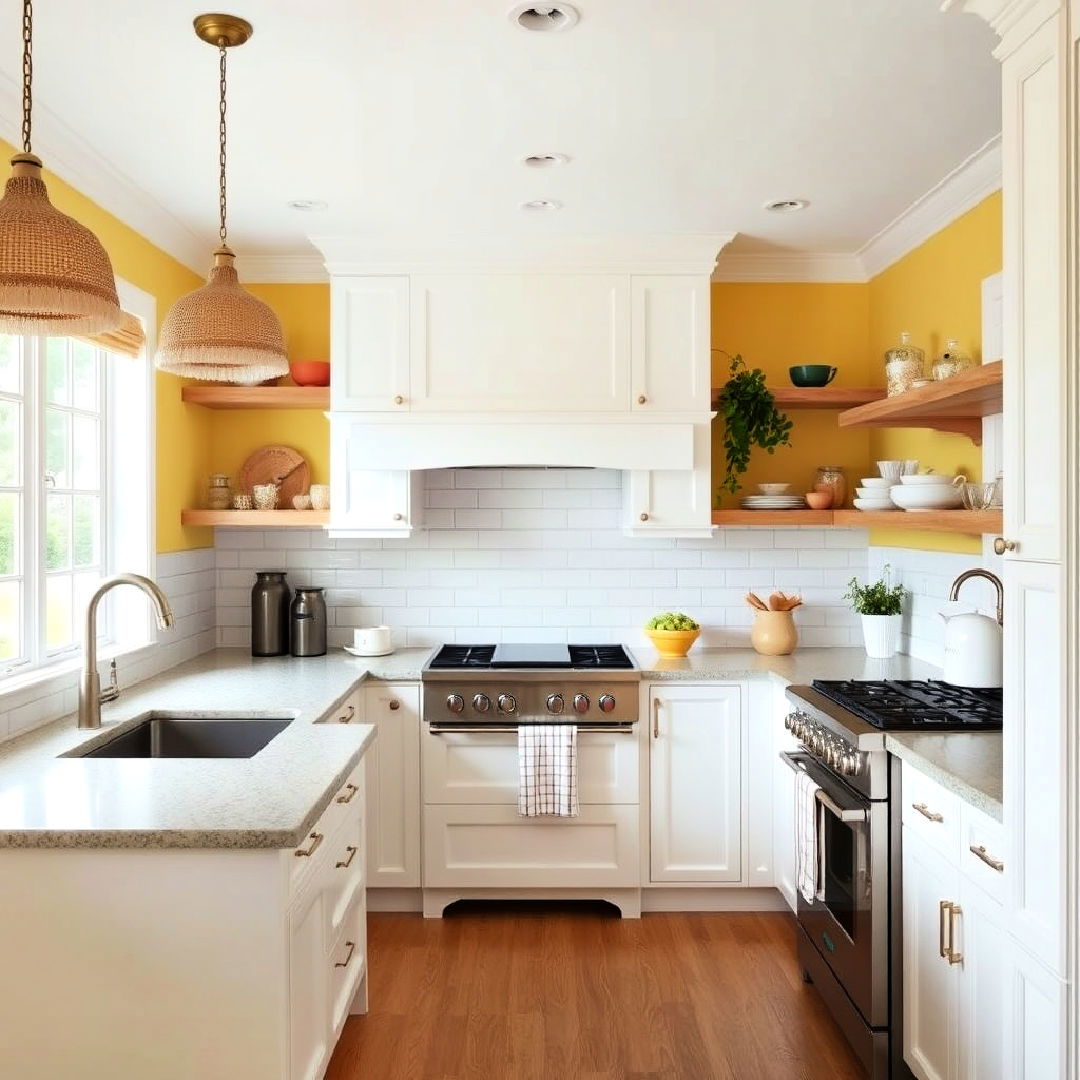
[848,921]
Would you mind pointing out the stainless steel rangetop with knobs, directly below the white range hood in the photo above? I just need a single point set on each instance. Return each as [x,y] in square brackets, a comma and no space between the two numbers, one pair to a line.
[488,686]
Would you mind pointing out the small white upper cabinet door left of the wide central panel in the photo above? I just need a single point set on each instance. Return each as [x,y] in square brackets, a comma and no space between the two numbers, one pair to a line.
[370,342]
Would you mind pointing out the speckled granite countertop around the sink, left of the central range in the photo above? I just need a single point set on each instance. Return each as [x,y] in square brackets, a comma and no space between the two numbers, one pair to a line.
[269,801]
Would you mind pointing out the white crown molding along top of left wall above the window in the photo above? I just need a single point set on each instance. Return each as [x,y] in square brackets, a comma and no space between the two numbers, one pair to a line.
[71,157]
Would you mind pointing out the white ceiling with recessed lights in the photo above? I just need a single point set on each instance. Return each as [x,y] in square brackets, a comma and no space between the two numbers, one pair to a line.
[412,116]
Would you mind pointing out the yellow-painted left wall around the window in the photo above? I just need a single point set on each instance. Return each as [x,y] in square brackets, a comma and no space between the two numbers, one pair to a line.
[183,454]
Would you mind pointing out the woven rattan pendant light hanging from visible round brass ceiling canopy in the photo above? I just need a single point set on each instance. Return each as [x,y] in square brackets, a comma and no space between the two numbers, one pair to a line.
[221,332]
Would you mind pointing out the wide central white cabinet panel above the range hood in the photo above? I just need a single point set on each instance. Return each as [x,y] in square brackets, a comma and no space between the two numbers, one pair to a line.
[520,343]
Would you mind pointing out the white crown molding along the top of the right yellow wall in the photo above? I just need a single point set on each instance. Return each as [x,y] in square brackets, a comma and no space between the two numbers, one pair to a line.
[966,187]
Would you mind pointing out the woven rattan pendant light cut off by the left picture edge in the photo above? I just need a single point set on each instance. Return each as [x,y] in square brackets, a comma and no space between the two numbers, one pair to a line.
[56,277]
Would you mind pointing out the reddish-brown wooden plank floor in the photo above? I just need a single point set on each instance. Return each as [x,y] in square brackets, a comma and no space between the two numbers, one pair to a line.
[520,993]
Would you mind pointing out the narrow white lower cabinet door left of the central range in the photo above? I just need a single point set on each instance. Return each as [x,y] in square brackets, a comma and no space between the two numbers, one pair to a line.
[394,786]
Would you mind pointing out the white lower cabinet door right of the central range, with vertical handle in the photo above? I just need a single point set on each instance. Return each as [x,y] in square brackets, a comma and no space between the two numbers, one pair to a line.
[696,784]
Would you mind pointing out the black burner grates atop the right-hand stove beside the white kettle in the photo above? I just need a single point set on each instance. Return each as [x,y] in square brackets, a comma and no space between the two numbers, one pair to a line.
[916,706]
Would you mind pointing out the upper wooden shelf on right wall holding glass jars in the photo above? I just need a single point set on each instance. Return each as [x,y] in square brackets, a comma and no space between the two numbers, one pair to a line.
[957,406]
